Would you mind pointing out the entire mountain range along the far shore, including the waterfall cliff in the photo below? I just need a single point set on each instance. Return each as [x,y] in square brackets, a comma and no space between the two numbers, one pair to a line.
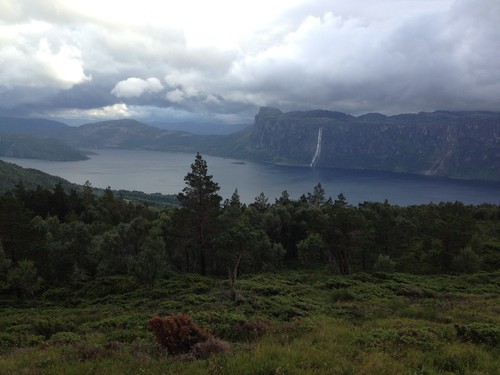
[454,144]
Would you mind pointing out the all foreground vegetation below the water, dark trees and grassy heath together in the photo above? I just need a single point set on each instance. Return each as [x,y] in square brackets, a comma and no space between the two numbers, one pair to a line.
[92,283]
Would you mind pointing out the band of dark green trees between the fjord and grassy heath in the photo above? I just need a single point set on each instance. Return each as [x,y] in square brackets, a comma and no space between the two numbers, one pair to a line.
[54,237]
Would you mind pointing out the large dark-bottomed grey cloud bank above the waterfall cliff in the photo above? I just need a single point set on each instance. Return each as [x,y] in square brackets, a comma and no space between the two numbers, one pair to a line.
[424,61]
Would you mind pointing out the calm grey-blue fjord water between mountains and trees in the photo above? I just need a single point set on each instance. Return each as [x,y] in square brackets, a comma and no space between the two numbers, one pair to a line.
[163,172]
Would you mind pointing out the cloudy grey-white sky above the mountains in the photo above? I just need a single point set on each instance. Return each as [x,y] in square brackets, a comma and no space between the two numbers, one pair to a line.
[221,60]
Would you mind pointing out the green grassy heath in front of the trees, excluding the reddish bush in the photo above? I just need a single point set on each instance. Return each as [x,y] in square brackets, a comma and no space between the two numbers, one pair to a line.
[309,322]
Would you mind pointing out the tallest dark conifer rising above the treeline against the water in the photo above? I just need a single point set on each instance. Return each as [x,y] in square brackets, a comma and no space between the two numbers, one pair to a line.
[202,202]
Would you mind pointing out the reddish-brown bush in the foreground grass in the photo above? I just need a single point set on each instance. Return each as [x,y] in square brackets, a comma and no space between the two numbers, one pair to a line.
[177,333]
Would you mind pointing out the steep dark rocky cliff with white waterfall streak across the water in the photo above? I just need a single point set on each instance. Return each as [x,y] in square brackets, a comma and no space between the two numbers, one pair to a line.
[455,144]
